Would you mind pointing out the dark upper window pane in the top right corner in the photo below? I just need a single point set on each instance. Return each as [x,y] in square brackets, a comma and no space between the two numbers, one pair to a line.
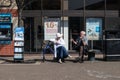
[112,4]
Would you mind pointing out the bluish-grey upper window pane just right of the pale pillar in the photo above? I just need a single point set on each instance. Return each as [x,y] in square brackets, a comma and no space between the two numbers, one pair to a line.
[75,4]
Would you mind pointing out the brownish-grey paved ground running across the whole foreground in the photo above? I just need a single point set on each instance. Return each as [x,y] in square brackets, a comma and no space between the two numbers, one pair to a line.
[34,69]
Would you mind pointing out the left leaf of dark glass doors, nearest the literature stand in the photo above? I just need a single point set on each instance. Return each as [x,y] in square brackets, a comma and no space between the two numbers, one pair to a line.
[29,34]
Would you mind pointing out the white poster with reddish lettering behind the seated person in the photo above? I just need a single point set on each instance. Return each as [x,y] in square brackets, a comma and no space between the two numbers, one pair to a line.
[51,26]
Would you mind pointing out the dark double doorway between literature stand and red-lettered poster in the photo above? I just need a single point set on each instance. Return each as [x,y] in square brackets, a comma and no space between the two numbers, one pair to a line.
[33,36]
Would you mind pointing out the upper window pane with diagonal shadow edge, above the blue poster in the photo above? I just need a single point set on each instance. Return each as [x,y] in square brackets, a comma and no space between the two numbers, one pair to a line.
[94,4]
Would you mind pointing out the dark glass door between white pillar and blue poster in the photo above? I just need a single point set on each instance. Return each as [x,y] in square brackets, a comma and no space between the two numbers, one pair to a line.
[76,24]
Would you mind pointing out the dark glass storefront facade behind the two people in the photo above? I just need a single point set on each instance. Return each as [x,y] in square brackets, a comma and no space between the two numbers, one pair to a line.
[71,16]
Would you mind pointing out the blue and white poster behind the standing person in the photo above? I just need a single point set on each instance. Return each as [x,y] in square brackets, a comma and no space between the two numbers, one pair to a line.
[94,28]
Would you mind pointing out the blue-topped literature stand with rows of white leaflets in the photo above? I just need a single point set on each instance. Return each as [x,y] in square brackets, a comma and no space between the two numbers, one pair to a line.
[19,44]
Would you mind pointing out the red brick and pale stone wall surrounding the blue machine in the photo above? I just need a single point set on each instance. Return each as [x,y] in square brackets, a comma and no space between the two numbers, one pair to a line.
[8,49]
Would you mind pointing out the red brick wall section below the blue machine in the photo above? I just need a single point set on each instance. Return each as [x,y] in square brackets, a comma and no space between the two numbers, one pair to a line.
[7,49]
